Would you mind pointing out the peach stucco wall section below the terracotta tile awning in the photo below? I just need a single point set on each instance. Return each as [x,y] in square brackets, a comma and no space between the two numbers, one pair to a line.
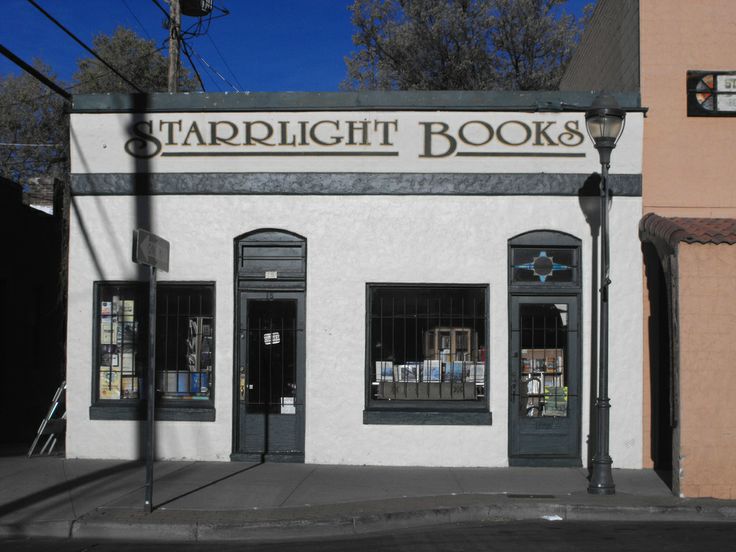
[707,377]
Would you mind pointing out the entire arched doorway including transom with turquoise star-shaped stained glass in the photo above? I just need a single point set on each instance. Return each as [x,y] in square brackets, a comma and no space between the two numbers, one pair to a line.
[545,349]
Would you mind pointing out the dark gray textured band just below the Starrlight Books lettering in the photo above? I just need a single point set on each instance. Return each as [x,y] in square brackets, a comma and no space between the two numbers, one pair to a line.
[475,184]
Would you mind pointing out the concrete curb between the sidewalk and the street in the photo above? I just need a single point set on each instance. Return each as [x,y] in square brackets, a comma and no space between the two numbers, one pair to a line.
[300,523]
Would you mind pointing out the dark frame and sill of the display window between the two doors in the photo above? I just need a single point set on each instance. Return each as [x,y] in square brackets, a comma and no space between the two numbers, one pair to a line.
[425,412]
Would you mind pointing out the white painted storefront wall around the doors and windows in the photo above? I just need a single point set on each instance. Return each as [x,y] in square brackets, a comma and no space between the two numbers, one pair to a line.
[351,240]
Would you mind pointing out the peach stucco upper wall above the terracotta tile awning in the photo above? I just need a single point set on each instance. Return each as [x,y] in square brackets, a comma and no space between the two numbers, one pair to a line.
[686,159]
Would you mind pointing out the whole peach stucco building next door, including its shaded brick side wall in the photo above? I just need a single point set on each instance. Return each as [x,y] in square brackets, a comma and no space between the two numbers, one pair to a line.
[688,242]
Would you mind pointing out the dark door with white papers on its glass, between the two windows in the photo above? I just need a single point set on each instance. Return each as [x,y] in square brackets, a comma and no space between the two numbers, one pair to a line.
[271,376]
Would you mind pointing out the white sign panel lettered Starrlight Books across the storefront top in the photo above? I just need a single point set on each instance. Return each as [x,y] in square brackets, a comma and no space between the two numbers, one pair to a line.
[340,141]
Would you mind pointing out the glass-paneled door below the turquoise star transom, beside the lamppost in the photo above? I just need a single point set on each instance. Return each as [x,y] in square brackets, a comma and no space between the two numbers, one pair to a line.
[544,381]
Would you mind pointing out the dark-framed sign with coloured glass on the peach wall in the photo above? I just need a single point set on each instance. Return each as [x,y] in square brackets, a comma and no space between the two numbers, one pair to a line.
[711,93]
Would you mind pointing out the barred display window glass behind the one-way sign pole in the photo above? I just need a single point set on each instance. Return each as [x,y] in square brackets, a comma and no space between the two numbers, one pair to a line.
[185,345]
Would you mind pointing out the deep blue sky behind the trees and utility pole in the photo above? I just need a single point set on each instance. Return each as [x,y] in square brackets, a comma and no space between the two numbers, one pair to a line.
[262,46]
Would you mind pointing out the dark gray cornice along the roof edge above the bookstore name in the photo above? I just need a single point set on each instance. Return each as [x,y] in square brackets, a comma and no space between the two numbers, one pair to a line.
[531,101]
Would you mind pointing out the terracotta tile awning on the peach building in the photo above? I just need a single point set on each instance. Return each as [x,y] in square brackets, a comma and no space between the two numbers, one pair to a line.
[689,230]
